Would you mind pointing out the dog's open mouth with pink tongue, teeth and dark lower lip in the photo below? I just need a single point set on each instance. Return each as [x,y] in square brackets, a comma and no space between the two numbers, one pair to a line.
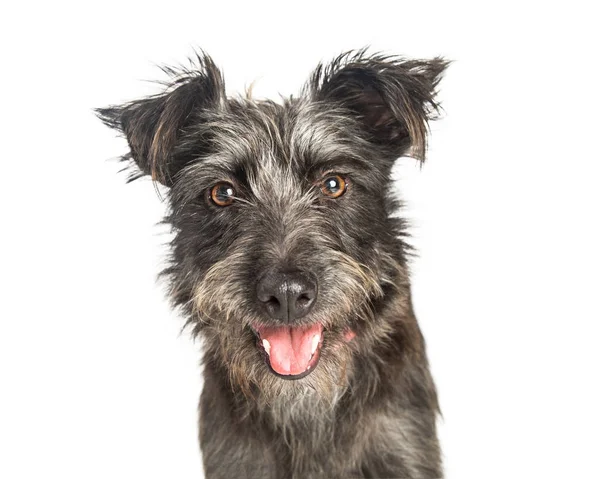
[291,352]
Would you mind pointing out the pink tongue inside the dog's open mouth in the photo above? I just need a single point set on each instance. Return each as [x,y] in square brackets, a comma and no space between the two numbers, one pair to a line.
[290,348]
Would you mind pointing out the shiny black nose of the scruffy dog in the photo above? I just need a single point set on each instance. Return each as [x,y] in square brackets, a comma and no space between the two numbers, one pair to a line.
[287,296]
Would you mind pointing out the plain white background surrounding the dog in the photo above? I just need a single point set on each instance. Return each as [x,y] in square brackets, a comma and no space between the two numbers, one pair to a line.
[96,380]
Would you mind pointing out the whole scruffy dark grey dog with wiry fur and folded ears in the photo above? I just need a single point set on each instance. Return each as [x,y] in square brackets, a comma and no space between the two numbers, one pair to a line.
[289,260]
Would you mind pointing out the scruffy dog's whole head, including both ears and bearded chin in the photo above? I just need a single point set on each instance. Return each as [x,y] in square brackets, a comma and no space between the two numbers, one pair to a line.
[285,240]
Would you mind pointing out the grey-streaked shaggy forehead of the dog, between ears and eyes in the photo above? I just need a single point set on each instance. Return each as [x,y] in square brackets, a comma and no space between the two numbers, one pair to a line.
[275,150]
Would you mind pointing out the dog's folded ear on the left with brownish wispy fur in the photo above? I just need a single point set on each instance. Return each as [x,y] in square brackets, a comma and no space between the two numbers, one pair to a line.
[154,125]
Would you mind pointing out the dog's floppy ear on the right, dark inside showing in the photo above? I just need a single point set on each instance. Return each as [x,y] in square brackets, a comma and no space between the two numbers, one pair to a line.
[393,98]
